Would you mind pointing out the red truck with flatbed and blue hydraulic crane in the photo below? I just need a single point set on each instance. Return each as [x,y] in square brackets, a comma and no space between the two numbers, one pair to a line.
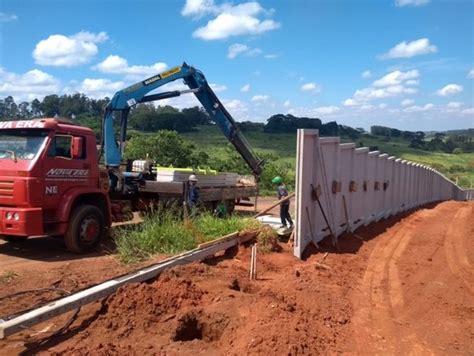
[52,181]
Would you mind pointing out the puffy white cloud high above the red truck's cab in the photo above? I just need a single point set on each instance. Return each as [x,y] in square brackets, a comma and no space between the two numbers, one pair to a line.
[68,51]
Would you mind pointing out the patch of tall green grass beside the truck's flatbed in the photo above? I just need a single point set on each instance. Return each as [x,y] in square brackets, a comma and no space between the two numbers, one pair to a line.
[166,233]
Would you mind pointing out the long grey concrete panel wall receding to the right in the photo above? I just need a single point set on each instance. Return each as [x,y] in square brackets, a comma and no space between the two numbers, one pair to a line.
[340,187]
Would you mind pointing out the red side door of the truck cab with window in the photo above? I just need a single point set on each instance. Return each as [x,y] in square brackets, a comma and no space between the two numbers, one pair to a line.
[65,167]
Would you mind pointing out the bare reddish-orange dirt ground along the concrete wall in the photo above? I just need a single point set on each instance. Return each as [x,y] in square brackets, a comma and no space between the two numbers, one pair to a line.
[401,286]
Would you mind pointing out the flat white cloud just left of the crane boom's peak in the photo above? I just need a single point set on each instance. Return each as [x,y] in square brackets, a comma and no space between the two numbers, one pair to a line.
[118,65]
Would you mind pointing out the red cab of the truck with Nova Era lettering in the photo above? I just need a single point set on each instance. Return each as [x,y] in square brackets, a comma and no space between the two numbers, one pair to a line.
[51,184]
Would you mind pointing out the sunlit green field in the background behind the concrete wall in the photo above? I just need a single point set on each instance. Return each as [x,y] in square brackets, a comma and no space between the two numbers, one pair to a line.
[283,148]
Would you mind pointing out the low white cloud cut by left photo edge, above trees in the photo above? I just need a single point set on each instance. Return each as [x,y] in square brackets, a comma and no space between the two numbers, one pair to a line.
[28,86]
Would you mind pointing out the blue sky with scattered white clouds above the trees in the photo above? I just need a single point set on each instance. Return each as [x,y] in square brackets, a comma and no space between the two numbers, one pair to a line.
[400,63]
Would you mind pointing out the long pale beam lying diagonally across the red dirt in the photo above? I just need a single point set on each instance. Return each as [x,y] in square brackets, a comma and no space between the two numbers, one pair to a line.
[102,290]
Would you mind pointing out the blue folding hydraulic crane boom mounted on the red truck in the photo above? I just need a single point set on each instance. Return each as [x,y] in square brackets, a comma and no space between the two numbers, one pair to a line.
[124,99]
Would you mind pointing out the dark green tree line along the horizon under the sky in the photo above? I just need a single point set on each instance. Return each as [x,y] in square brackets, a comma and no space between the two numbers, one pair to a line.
[150,118]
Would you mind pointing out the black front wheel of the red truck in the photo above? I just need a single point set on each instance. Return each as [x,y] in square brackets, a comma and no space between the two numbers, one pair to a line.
[86,229]
